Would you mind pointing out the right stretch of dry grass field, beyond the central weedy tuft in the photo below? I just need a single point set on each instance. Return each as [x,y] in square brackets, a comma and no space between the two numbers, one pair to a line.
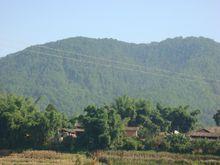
[152,157]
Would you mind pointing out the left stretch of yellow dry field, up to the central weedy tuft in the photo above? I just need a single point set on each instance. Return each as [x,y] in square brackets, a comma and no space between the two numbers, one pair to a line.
[45,158]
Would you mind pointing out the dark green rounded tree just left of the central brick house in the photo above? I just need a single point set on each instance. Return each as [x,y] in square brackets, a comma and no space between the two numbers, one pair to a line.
[103,128]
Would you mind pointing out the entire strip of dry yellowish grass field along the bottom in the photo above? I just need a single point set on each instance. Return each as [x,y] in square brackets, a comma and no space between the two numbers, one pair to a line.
[106,157]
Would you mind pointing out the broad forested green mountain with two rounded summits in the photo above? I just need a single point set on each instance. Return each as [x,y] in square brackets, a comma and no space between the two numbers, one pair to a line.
[75,72]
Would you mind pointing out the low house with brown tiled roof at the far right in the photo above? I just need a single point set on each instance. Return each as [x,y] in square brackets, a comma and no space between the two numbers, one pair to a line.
[212,133]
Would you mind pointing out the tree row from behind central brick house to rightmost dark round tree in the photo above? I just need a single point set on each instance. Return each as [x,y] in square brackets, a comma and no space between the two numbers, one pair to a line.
[155,119]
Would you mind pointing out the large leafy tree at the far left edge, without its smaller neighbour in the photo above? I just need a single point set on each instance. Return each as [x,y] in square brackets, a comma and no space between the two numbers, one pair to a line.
[19,118]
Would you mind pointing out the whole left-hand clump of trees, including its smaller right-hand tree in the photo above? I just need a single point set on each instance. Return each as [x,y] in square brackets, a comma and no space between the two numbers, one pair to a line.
[23,125]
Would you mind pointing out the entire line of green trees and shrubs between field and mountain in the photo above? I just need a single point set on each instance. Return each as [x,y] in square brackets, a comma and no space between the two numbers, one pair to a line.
[24,125]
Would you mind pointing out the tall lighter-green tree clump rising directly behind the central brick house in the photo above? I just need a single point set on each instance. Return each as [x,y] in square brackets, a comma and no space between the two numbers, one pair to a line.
[140,112]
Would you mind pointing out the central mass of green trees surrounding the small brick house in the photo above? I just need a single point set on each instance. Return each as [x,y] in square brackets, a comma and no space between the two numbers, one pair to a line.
[104,126]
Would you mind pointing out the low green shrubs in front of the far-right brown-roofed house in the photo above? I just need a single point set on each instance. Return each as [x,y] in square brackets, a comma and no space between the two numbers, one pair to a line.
[179,143]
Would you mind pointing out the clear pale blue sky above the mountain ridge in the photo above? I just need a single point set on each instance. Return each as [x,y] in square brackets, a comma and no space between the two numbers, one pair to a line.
[25,22]
